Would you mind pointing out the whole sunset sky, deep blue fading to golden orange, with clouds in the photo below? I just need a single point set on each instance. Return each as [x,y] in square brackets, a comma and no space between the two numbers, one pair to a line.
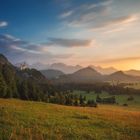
[85,32]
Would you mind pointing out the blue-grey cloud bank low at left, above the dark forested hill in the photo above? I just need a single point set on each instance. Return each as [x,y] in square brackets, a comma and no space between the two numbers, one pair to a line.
[18,50]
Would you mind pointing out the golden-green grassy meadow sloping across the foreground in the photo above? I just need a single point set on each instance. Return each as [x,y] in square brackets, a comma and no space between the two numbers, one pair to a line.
[40,121]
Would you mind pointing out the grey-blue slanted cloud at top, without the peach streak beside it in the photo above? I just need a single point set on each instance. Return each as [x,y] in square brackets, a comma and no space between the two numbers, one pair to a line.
[86,13]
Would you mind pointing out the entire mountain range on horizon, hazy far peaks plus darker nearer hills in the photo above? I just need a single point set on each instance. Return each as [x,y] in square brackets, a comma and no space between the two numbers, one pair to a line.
[63,72]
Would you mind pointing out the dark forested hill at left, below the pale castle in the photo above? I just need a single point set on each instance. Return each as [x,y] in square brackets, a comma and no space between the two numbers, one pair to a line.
[28,84]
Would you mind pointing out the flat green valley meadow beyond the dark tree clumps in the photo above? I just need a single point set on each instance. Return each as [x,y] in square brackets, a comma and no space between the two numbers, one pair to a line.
[121,99]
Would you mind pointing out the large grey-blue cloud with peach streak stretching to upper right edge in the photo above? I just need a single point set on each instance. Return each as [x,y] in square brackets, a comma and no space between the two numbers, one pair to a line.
[97,15]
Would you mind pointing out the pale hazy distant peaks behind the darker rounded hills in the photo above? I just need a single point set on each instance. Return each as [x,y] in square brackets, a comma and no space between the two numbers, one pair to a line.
[69,69]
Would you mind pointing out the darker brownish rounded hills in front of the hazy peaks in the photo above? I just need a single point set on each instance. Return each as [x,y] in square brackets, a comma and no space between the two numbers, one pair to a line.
[89,75]
